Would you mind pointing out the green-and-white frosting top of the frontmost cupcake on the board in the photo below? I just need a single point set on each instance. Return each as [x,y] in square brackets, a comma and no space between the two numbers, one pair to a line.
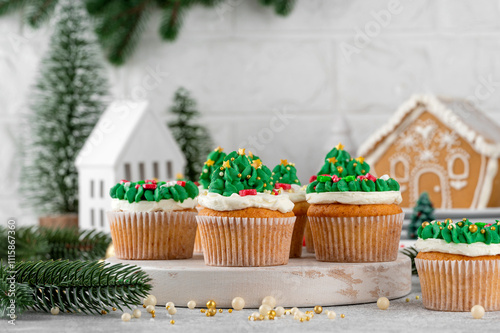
[243,182]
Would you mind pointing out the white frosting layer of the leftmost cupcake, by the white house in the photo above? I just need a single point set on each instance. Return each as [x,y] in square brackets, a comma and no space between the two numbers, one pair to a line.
[165,205]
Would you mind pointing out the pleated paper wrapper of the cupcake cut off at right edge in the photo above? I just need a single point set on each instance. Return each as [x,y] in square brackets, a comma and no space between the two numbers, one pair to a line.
[458,285]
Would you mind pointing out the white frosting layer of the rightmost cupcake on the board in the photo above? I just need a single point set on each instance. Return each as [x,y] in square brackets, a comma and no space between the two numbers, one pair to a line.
[356,198]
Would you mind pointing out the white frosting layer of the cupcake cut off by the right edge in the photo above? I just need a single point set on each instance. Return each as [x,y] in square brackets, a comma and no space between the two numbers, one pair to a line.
[469,250]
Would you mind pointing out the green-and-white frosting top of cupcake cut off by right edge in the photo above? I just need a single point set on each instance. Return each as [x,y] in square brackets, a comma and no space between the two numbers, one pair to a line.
[463,238]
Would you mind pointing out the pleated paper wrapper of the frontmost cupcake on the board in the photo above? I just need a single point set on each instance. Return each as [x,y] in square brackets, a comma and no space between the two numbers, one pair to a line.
[245,242]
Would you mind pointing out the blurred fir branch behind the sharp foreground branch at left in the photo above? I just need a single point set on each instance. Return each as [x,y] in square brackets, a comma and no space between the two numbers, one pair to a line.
[38,243]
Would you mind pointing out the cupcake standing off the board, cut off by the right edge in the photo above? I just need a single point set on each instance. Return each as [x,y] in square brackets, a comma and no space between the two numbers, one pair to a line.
[459,265]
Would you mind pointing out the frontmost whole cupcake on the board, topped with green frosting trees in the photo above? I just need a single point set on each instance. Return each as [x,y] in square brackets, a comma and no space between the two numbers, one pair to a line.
[244,221]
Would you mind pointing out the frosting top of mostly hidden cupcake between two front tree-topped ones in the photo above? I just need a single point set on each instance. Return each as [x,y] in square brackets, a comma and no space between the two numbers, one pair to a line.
[284,177]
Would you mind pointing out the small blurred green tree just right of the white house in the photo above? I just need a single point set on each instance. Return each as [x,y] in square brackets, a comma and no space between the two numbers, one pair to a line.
[193,139]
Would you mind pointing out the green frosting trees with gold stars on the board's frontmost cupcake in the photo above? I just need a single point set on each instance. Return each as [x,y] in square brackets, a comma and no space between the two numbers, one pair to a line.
[240,173]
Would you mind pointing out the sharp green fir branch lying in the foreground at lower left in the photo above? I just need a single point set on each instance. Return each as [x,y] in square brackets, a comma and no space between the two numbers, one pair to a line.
[72,286]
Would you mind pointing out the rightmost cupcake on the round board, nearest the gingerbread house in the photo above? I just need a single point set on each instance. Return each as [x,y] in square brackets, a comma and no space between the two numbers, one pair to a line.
[354,216]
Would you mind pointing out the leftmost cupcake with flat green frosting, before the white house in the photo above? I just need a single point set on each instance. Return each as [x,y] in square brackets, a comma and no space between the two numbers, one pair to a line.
[153,220]
